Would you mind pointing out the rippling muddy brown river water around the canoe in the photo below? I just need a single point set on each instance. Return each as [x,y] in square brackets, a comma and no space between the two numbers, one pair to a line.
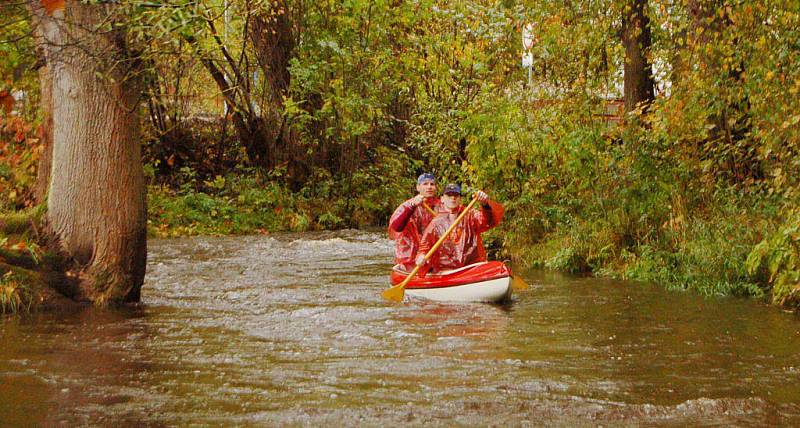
[290,330]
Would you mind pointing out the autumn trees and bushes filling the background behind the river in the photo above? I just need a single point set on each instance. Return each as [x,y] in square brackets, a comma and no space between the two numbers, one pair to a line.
[325,123]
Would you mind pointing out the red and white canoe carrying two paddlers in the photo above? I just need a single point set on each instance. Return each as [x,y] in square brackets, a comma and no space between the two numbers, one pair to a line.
[479,282]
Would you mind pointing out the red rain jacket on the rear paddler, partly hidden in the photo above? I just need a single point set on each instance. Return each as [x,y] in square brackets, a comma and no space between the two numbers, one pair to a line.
[406,226]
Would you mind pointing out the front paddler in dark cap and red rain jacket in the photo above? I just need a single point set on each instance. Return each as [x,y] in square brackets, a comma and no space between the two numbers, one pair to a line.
[464,246]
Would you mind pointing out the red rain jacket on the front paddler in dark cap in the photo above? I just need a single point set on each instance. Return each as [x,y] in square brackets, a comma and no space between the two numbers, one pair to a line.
[464,246]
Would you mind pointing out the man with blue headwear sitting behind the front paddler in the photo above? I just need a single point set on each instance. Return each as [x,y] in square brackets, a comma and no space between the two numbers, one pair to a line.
[411,218]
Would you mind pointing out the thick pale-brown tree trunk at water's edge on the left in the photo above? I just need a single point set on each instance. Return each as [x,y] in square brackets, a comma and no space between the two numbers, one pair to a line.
[96,203]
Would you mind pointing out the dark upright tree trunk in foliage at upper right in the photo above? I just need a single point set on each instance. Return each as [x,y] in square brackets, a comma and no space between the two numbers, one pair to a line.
[638,79]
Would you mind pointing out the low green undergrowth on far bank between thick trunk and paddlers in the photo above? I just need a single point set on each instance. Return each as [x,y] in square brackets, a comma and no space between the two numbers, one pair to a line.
[248,204]
